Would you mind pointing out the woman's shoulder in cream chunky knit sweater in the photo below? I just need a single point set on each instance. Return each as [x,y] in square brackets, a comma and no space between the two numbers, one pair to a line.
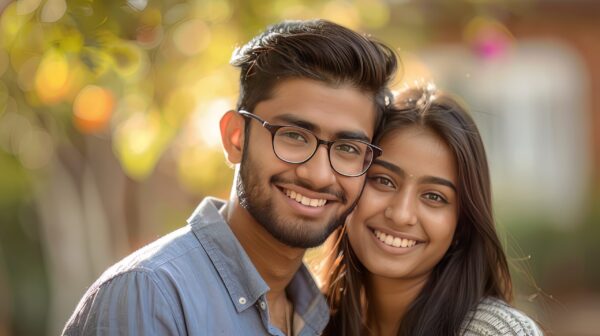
[494,317]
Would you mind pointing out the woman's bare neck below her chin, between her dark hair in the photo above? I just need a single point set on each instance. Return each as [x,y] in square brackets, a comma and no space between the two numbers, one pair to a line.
[389,300]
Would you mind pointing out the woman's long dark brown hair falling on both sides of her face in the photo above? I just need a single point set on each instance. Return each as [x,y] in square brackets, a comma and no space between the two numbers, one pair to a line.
[474,266]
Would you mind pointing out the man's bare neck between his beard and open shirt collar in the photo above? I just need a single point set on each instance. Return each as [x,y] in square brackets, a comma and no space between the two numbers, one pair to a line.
[275,262]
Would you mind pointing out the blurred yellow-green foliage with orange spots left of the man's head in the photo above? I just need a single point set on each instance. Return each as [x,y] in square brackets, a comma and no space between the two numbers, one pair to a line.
[133,75]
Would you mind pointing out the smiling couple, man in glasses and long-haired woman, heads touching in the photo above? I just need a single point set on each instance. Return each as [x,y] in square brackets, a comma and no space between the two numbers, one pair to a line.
[418,254]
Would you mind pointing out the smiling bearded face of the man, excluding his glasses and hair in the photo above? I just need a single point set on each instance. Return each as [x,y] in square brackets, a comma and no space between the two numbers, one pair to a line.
[301,204]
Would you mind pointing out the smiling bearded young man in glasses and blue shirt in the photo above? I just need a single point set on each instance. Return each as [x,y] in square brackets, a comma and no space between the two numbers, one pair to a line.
[312,94]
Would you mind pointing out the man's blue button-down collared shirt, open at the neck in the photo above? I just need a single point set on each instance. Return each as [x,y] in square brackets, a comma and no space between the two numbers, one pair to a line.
[197,280]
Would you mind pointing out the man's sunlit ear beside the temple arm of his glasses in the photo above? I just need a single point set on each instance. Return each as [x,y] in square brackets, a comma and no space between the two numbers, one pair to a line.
[232,135]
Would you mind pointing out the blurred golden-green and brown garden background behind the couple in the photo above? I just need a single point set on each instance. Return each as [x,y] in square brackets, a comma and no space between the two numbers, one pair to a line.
[109,131]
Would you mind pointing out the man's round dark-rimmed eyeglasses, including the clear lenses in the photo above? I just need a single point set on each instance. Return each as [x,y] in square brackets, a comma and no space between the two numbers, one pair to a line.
[293,144]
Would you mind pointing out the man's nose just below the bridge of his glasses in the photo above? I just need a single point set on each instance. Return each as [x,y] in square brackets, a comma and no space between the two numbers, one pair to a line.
[317,171]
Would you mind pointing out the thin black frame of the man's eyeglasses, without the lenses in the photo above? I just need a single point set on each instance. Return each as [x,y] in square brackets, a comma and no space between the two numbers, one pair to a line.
[274,128]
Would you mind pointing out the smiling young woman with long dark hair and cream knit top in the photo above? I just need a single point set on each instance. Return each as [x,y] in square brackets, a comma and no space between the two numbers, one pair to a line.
[420,254]
